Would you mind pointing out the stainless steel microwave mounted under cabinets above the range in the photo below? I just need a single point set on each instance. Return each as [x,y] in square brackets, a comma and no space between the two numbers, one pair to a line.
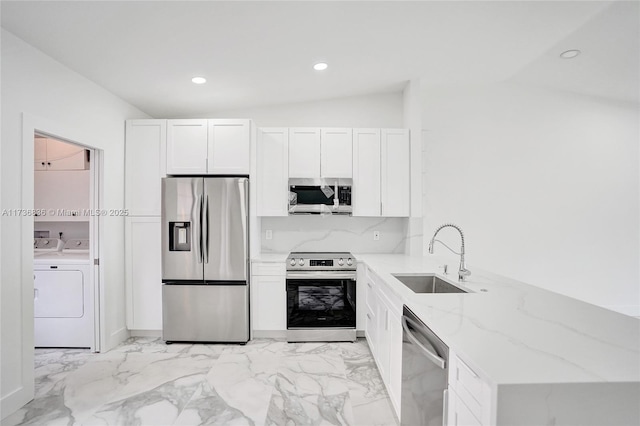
[320,196]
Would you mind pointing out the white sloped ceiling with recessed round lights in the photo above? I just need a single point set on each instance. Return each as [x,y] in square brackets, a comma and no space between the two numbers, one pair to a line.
[261,53]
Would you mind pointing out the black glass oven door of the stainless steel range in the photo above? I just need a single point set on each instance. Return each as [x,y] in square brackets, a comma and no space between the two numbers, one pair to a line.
[321,301]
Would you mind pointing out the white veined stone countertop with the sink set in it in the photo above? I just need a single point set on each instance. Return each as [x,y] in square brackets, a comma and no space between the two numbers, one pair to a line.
[515,333]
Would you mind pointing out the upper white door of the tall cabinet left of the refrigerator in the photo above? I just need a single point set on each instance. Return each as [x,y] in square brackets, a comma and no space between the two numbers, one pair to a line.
[145,165]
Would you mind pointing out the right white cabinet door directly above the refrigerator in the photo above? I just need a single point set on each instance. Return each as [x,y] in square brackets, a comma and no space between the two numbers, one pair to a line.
[229,147]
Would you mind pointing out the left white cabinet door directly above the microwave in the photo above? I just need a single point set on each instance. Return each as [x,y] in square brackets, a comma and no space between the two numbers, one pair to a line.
[304,153]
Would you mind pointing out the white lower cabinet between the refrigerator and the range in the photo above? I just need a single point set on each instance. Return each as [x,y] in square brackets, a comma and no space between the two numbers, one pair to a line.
[268,297]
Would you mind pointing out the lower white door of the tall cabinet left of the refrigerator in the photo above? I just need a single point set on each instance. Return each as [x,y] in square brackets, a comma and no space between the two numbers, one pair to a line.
[143,273]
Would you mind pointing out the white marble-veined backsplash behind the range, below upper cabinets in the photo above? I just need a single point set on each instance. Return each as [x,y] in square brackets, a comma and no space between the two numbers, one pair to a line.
[333,233]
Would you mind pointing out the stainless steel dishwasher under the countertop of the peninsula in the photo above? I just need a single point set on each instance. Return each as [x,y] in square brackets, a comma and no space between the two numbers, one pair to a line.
[425,361]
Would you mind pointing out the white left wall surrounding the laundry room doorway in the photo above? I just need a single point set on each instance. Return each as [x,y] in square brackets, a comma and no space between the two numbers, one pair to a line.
[35,85]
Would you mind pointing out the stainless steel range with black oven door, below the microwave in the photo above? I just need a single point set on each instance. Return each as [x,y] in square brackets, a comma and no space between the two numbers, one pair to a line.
[321,297]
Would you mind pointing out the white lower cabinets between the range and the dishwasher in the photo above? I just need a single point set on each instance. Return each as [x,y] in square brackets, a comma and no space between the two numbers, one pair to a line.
[384,334]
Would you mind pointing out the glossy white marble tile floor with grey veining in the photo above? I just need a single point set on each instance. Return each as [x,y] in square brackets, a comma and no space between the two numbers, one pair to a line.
[265,382]
